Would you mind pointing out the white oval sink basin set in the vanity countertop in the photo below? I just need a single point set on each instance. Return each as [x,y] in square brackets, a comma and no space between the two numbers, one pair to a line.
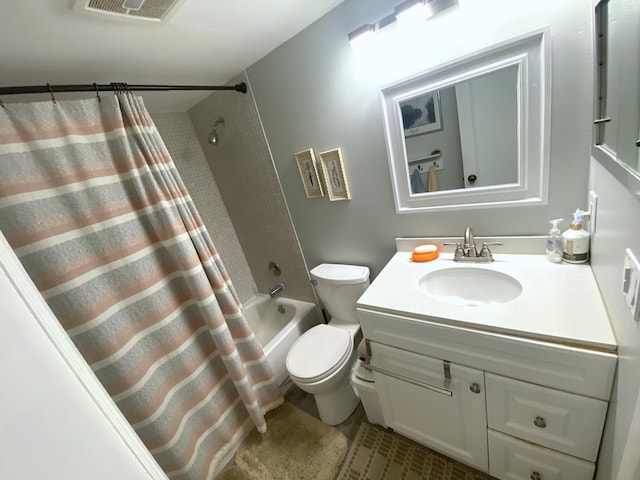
[470,286]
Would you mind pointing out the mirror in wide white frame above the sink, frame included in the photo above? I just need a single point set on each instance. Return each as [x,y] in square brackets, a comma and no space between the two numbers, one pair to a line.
[474,132]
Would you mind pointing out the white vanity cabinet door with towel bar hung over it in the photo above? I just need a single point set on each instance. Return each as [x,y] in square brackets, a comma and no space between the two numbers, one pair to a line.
[420,402]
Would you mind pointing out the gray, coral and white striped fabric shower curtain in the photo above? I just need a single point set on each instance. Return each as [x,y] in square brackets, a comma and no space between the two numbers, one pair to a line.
[92,204]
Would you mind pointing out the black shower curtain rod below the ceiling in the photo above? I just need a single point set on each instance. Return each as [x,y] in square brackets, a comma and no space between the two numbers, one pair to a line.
[115,87]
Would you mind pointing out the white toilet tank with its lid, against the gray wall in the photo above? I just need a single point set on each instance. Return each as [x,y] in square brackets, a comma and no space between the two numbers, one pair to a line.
[339,287]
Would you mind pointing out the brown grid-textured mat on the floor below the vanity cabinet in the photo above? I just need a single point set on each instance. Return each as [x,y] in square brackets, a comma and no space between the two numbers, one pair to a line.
[380,455]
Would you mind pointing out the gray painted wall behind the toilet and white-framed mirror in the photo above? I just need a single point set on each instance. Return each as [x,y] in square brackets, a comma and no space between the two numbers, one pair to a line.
[310,92]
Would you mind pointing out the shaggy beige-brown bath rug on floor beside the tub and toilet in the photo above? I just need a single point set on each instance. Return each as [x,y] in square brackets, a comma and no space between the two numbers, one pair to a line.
[296,446]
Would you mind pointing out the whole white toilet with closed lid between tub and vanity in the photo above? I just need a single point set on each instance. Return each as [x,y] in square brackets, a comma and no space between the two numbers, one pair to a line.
[321,360]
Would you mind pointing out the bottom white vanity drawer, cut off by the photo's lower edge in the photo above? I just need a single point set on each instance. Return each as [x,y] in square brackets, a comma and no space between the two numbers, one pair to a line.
[513,459]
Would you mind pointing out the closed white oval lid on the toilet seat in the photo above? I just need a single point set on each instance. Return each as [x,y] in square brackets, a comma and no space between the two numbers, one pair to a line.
[318,352]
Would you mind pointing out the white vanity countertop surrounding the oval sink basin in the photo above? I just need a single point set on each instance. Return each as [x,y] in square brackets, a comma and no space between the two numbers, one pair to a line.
[560,303]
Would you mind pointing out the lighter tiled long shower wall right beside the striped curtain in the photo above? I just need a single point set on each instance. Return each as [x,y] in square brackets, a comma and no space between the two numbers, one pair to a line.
[183,145]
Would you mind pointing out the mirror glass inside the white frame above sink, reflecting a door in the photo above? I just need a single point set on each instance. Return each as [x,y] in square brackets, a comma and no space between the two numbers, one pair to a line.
[464,135]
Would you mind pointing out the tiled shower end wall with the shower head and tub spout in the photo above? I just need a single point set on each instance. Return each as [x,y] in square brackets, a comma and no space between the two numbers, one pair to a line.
[246,177]
